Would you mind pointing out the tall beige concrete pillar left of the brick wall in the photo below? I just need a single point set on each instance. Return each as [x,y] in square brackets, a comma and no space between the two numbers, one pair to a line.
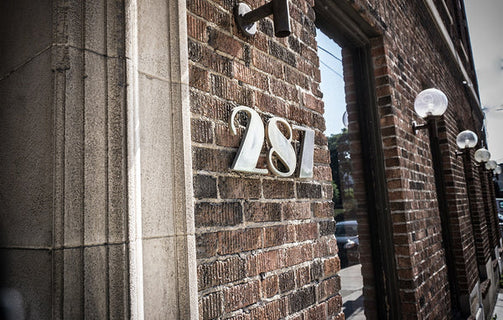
[96,193]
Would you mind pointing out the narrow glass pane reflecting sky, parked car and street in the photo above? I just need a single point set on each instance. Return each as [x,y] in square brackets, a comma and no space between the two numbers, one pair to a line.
[345,204]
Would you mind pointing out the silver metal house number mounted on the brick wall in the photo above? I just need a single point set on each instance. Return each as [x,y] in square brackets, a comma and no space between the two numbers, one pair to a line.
[281,146]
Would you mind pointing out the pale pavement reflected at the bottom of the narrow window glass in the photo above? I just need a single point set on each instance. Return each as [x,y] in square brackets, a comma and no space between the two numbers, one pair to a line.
[352,294]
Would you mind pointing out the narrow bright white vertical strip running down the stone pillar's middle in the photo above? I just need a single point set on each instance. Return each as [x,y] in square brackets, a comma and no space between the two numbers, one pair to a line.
[134,165]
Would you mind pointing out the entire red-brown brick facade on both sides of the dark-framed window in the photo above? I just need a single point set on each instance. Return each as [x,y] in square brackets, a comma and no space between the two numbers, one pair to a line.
[265,244]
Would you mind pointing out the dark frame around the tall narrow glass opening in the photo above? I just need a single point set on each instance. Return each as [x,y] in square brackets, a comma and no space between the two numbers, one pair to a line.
[343,23]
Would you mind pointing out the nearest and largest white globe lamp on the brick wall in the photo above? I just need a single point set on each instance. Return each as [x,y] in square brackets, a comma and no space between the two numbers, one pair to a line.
[429,104]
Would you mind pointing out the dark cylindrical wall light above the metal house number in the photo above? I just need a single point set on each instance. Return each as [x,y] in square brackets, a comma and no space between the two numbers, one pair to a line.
[246,17]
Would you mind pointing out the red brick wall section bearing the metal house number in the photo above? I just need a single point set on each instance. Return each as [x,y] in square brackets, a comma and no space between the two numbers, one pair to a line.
[265,244]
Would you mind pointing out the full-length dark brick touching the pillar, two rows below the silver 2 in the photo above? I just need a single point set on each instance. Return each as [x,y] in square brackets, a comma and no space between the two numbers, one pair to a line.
[208,214]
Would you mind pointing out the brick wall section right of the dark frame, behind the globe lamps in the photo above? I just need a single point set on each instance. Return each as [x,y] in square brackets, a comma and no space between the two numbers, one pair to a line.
[413,58]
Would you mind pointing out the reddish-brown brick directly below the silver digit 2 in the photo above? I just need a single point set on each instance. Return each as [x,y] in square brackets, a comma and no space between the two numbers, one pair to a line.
[239,188]
